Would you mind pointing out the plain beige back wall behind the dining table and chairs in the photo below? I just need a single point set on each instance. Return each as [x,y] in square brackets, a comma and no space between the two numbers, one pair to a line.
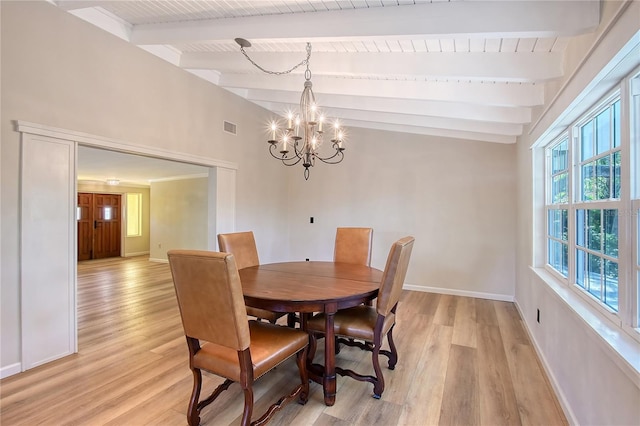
[456,197]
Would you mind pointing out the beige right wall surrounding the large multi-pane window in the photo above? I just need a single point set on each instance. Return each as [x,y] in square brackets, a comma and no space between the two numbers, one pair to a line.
[594,383]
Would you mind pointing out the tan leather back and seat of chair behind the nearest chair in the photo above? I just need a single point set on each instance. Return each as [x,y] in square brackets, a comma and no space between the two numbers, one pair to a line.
[243,247]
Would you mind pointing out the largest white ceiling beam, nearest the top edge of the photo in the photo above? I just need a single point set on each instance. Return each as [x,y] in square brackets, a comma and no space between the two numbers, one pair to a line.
[489,18]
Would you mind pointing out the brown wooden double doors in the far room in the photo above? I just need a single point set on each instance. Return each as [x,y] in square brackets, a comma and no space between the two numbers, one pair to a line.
[99,225]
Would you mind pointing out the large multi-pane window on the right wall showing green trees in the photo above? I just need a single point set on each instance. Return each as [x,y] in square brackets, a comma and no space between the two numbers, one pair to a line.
[591,173]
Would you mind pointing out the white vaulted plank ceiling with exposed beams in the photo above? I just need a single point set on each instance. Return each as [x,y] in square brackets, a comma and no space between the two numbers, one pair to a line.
[465,69]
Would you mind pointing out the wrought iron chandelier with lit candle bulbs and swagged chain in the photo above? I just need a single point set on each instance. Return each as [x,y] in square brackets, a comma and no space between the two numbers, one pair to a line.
[301,139]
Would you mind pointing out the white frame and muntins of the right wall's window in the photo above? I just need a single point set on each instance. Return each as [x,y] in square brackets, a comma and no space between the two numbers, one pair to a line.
[628,315]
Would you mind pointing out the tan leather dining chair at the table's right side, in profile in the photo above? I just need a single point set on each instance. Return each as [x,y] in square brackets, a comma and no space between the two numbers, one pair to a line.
[370,324]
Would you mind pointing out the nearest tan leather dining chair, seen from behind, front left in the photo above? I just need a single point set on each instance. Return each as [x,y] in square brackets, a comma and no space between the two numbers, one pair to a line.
[220,338]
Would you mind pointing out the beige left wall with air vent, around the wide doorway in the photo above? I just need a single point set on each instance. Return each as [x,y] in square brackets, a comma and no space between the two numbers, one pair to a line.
[60,71]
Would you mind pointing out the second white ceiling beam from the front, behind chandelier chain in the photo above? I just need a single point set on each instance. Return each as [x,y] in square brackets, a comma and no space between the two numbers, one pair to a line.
[519,67]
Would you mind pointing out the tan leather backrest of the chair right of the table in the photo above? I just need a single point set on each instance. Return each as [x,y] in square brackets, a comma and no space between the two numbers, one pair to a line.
[393,276]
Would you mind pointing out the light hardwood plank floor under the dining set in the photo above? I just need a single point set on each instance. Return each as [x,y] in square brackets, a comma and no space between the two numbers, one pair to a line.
[462,361]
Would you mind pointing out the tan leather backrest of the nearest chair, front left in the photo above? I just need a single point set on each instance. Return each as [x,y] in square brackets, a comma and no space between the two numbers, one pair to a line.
[210,297]
